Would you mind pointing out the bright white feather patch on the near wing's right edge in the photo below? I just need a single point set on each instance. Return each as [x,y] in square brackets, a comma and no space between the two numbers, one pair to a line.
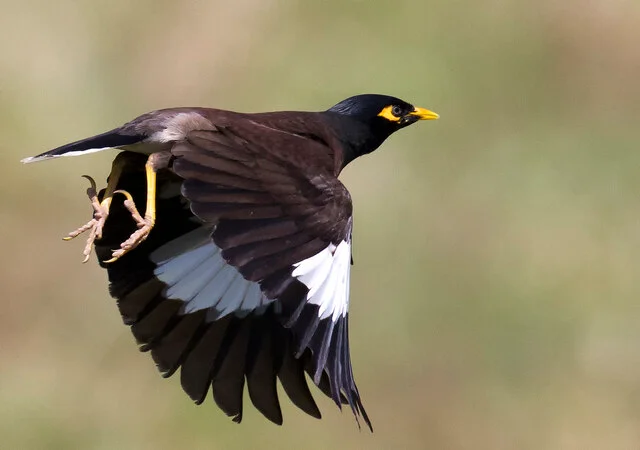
[326,274]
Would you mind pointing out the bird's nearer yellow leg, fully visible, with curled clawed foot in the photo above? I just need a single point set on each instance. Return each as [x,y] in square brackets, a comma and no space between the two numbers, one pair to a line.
[155,162]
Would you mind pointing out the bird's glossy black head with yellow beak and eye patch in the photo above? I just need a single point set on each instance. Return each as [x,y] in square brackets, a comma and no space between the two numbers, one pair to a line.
[374,118]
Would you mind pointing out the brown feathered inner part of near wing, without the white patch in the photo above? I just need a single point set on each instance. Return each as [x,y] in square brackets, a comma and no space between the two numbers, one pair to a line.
[272,207]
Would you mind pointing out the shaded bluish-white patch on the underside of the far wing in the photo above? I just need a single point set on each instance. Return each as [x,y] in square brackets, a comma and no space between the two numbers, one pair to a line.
[194,271]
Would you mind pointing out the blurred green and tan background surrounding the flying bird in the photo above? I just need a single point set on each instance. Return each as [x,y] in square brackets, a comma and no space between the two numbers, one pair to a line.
[495,295]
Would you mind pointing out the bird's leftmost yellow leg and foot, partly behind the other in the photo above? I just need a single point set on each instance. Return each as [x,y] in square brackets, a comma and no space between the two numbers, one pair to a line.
[100,209]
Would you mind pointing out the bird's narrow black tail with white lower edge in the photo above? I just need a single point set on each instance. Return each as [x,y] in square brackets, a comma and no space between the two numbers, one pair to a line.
[111,139]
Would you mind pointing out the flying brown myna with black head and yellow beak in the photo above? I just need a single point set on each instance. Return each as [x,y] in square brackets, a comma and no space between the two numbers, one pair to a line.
[238,271]
